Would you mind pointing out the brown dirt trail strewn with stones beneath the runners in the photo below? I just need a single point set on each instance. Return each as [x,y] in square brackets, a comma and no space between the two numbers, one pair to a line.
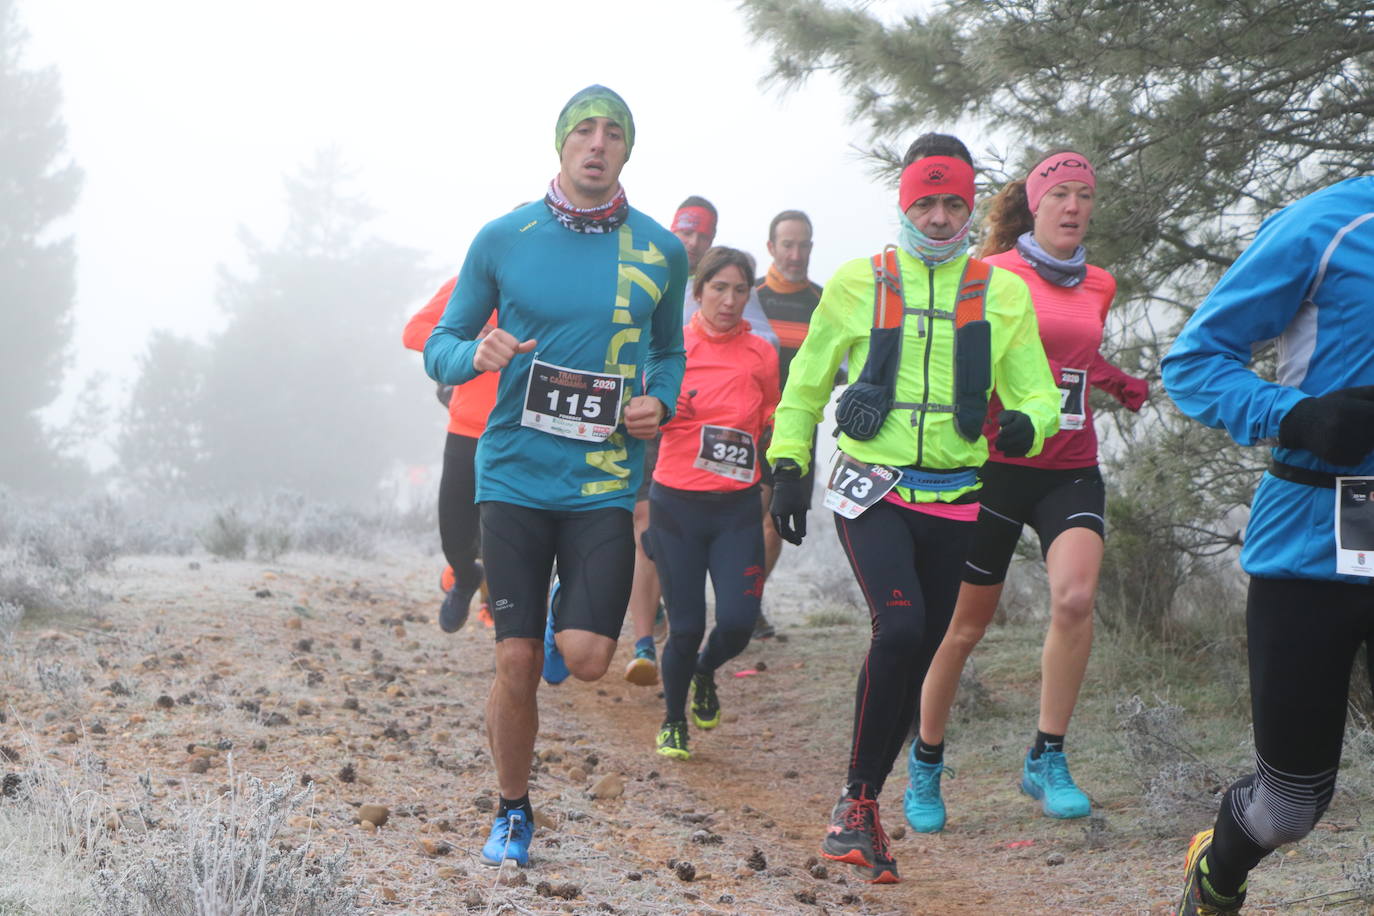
[337,671]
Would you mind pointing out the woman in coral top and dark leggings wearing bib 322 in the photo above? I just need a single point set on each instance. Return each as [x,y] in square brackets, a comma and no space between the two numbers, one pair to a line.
[704,502]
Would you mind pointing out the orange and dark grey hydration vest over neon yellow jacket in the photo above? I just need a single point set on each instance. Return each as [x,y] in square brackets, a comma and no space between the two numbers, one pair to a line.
[866,403]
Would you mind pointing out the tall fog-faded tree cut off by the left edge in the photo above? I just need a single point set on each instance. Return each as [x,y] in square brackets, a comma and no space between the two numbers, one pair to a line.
[38,273]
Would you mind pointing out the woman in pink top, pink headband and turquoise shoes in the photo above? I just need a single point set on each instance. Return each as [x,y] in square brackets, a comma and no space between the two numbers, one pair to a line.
[1037,230]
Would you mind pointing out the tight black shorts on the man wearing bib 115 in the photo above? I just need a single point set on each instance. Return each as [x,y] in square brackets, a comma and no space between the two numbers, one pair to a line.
[596,556]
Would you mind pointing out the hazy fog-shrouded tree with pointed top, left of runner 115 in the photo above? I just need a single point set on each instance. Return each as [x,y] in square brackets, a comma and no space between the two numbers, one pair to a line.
[308,387]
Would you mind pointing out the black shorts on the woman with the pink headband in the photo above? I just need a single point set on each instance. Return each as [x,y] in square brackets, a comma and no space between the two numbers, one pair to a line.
[1052,502]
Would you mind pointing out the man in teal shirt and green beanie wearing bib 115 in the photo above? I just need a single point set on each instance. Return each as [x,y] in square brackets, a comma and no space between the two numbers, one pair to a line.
[590,351]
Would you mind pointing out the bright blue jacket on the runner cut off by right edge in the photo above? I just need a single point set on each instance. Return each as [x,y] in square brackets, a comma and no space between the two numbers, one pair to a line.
[1306,284]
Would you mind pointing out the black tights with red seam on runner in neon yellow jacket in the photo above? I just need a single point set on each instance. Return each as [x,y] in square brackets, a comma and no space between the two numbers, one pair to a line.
[909,566]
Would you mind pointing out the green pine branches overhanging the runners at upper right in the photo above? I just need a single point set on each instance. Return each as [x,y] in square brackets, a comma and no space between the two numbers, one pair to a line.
[1202,116]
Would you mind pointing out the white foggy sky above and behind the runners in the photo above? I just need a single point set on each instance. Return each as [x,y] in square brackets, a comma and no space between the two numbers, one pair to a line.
[186,116]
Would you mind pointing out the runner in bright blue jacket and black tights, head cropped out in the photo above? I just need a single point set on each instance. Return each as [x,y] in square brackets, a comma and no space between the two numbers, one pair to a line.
[1307,284]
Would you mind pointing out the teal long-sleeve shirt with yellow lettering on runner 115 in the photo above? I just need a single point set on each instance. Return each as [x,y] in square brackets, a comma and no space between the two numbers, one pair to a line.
[596,303]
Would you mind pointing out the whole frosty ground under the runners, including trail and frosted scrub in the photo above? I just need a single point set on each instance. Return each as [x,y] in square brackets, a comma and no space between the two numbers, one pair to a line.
[329,680]
